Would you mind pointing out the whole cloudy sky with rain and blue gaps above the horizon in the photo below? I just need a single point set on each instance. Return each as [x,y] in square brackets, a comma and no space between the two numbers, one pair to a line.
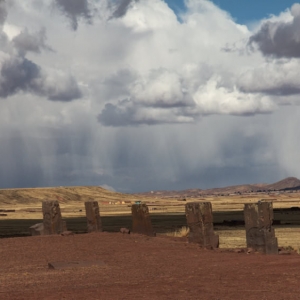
[142,95]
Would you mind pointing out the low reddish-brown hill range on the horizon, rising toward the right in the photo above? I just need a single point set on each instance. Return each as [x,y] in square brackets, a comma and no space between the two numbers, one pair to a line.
[290,183]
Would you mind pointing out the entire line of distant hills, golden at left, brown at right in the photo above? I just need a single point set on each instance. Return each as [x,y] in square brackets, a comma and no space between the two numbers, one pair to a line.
[88,193]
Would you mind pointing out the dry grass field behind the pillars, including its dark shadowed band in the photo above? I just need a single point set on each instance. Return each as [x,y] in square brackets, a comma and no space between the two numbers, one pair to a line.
[21,208]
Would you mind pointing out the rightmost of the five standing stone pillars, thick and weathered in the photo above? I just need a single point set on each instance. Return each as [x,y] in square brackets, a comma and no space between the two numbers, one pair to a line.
[260,234]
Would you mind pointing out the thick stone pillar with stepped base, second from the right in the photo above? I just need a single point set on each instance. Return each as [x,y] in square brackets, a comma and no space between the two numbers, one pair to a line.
[200,221]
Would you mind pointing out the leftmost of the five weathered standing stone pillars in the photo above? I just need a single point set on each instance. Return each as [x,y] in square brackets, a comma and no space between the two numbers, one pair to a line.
[52,221]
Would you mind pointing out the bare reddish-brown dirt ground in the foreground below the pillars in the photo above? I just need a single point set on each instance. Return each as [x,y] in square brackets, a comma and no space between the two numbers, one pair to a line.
[138,267]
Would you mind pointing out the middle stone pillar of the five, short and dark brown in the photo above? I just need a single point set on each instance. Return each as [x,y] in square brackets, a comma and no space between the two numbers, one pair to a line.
[141,222]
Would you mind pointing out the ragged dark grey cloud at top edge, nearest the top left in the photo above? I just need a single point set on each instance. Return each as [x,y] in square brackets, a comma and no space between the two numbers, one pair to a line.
[75,10]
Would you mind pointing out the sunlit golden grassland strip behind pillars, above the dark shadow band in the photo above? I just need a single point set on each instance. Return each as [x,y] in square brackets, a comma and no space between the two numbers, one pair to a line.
[27,202]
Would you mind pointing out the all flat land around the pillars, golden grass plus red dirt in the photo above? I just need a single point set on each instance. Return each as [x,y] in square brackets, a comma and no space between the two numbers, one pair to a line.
[140,267]
